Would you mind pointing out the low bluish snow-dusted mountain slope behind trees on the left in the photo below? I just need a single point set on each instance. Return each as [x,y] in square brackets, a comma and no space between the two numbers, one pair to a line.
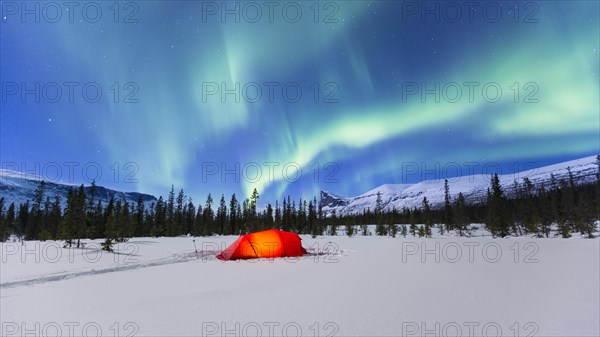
[20,187]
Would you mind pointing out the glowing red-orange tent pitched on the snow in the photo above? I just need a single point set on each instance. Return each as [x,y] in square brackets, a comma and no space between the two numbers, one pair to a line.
[267,244]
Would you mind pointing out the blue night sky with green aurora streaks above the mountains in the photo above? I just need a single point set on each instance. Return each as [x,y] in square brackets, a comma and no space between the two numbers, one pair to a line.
[362,67]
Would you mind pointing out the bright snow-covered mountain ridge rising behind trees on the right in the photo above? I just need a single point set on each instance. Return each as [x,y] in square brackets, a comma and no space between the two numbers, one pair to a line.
[473,187]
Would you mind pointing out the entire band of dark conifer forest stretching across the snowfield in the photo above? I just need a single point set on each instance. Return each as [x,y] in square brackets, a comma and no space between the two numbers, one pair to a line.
[561,207]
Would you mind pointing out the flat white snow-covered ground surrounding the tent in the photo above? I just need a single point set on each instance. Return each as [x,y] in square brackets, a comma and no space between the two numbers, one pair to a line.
[361,286]
